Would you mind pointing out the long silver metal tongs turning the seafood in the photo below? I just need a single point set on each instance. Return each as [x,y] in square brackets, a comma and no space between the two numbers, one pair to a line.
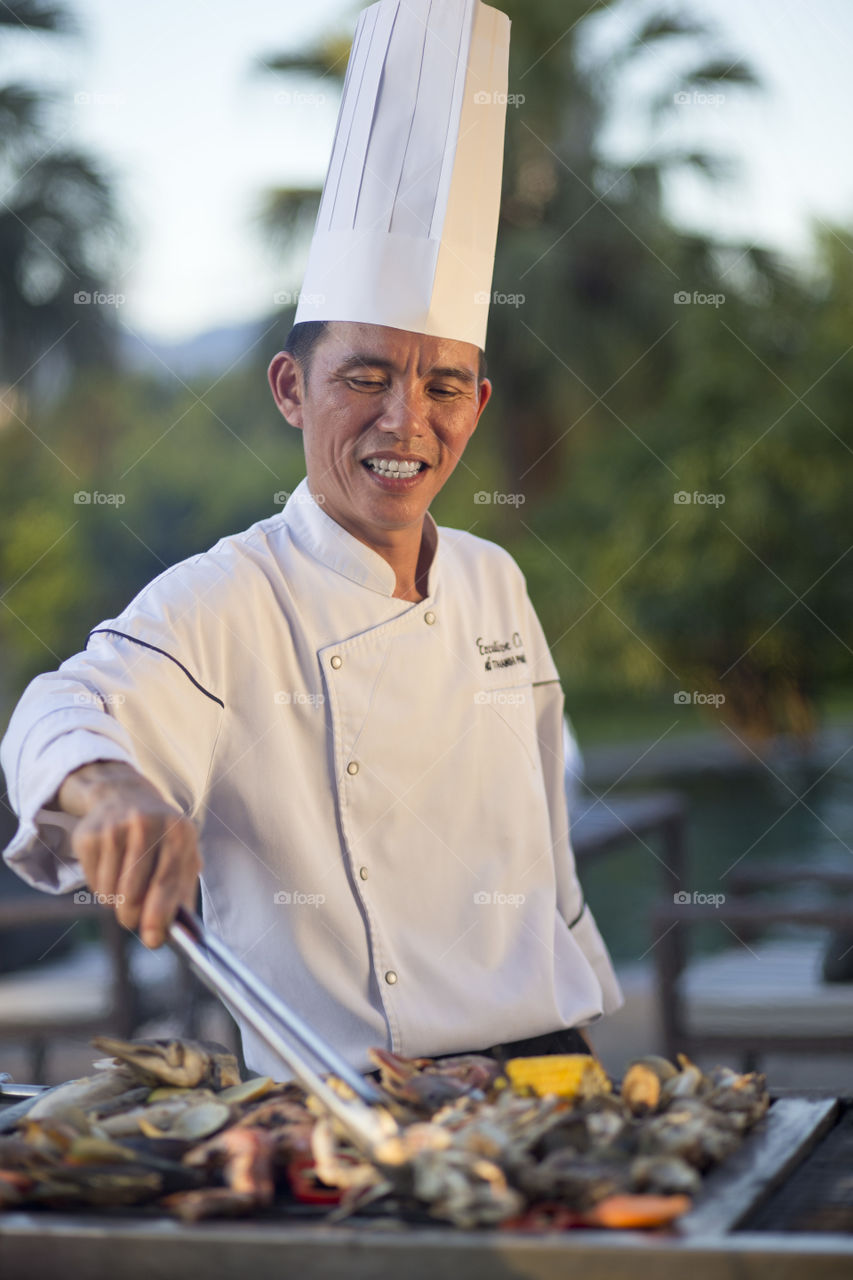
[280,1026]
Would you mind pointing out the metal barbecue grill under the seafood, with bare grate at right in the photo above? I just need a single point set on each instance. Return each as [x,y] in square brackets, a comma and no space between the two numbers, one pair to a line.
[779,1209]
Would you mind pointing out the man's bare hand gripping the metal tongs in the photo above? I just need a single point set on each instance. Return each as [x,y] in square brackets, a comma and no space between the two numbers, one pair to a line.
[134,845]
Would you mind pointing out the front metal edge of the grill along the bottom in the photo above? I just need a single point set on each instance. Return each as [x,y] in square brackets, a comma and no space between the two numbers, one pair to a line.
[40,1245]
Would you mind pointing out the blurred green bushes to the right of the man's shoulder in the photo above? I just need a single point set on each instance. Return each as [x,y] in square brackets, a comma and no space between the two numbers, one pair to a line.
[745,597]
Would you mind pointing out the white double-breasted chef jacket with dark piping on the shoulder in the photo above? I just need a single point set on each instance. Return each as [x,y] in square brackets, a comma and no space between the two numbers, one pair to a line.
[378,785]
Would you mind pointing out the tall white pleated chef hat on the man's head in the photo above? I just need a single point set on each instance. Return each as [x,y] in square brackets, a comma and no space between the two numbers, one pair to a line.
[407,230]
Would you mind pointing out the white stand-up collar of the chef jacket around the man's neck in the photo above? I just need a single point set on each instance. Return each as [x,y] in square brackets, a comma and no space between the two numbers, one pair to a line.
[336,548]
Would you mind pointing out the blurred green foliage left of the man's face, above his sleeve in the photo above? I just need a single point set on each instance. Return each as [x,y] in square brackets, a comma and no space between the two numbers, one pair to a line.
[163,474]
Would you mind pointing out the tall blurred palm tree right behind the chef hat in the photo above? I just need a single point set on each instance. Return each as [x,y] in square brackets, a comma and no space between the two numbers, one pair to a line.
[585,241]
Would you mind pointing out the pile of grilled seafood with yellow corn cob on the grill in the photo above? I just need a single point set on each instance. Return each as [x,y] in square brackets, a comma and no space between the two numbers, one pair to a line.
[469,1141]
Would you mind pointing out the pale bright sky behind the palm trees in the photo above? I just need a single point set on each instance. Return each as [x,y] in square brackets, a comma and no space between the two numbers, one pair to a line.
[172,98]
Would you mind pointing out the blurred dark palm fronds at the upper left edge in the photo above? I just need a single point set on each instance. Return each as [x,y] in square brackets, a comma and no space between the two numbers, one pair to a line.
[58,228]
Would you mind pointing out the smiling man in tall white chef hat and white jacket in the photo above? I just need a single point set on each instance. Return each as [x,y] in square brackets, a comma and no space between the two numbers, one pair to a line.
[352,714]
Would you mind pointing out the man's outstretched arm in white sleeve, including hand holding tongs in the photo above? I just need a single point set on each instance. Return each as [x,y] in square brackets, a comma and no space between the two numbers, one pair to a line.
[122,739]
